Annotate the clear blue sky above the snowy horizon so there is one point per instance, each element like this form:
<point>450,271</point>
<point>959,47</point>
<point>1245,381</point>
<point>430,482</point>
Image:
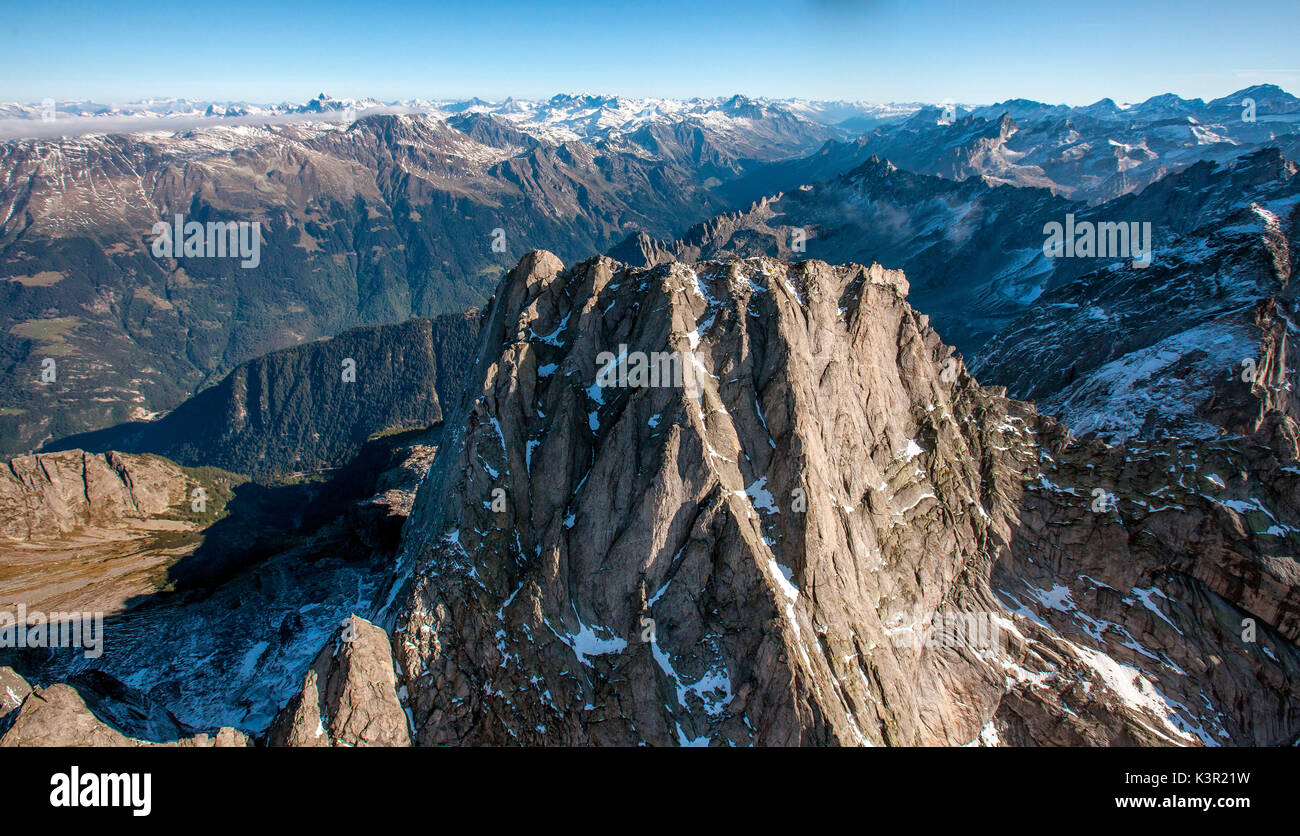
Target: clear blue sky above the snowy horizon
<point>976,53</point>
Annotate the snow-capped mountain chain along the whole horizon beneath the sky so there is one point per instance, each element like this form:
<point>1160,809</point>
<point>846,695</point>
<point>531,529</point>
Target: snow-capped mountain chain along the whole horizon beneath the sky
<point>1093,153</point>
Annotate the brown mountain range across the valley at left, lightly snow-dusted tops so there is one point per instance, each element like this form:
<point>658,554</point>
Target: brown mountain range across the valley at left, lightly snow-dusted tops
<point>371,222</point>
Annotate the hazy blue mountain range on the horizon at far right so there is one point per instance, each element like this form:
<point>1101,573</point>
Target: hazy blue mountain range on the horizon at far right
<point>1090,154</point>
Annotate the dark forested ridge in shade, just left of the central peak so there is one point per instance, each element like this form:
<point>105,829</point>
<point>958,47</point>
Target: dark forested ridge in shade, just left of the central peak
<point>314,406</point>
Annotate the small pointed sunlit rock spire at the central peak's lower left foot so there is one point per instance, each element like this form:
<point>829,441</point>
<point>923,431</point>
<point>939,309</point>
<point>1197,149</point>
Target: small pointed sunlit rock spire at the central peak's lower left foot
<point>349,696</point>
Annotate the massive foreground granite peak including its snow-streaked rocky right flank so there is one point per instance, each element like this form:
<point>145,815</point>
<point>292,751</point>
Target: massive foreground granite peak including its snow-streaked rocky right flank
<point>830,535</point>
